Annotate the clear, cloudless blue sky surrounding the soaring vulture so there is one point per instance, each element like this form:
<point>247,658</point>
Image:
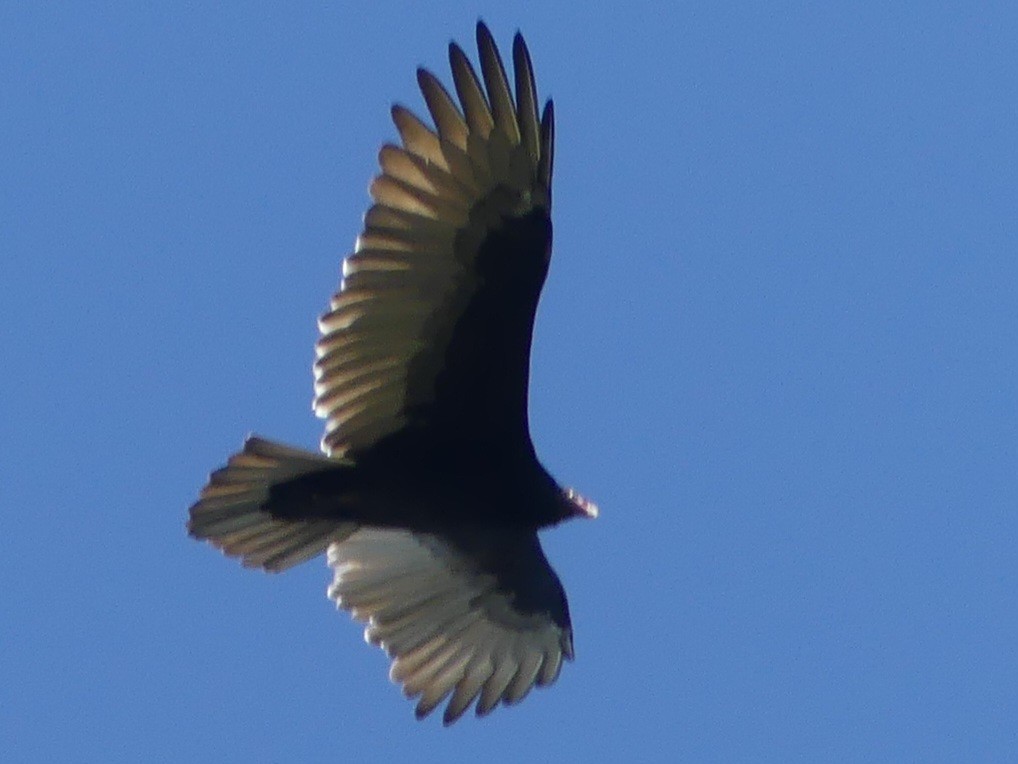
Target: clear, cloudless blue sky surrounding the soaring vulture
<point>778,347</point>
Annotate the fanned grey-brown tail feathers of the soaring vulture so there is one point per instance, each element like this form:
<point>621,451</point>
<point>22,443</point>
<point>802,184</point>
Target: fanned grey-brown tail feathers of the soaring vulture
<point>231,512</point>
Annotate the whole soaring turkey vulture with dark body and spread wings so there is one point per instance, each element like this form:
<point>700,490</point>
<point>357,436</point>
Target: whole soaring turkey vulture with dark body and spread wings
<point>430,496</point>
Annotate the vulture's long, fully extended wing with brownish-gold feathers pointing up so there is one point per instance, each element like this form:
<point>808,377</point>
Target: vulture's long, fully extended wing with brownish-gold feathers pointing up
<point>433,322</point>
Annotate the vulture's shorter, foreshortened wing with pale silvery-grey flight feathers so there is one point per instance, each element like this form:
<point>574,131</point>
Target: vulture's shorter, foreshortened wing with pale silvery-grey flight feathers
<point>479,615</point>
